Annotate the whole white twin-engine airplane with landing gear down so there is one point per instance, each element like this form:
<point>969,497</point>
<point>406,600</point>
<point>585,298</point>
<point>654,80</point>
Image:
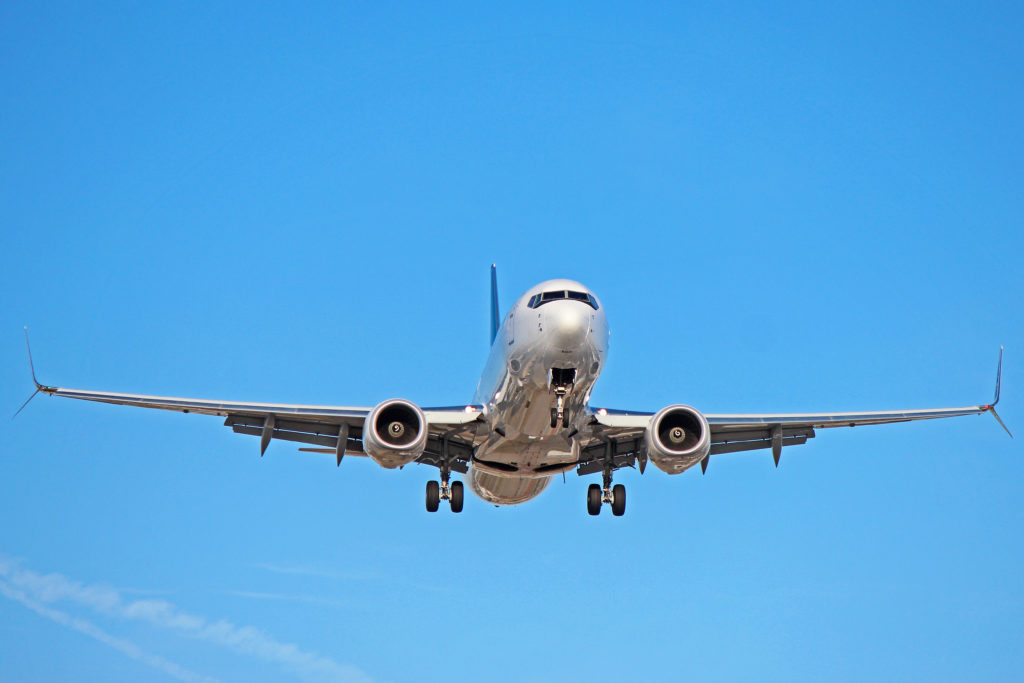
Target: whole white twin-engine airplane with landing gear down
<point>531,419</point>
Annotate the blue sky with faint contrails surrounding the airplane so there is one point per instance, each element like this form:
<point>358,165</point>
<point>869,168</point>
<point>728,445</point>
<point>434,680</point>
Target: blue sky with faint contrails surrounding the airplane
<point>815,207</point>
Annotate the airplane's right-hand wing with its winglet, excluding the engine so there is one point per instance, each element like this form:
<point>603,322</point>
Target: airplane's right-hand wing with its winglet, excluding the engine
<point>619,435</point>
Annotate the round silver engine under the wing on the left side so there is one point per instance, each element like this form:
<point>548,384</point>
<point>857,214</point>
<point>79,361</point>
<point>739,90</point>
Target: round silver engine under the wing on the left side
<point>395,434</point>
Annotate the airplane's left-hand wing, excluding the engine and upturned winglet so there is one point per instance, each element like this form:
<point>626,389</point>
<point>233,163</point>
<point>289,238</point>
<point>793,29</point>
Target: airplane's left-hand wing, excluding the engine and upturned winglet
<point>336,430</point>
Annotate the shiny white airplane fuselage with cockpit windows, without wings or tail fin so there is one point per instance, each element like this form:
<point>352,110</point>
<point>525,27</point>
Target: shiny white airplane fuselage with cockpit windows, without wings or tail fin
<point>544,362</point>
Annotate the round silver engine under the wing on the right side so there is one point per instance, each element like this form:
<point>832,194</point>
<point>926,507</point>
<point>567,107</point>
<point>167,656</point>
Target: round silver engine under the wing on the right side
<point>677,439</point>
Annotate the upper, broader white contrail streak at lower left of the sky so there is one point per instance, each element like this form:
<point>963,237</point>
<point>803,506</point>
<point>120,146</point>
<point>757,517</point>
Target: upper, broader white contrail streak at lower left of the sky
<point>37,588</point>
